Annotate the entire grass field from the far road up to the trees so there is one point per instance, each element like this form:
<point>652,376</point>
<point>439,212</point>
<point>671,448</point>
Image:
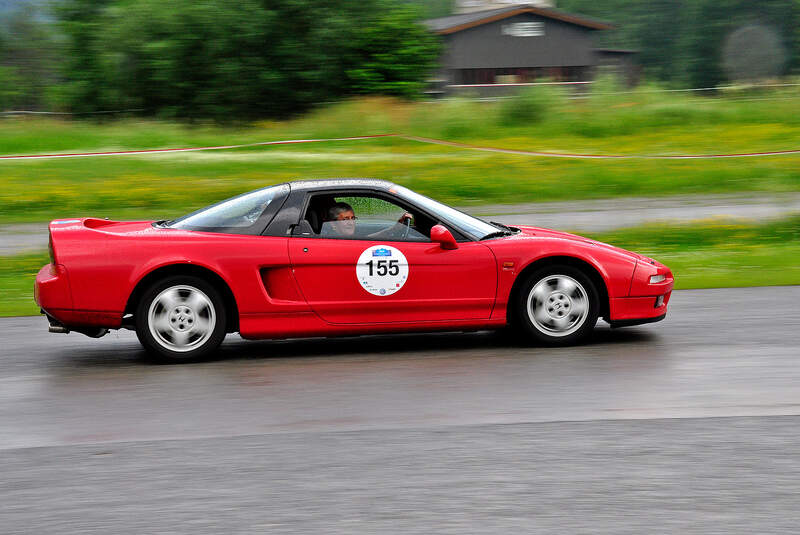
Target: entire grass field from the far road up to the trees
<point>643,122</point>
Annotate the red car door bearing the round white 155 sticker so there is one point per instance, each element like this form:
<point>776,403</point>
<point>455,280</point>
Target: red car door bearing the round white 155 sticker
<point>364,278</point>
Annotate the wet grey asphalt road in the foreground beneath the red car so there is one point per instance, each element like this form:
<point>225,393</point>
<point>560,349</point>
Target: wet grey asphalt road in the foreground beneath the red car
<point>691,425</point>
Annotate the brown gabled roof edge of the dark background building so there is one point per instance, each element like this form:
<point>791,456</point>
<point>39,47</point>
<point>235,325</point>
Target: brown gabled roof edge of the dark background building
<point>464,21</point>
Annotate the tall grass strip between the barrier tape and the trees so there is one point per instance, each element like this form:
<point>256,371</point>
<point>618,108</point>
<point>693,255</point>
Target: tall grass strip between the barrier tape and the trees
<point>539,114</point>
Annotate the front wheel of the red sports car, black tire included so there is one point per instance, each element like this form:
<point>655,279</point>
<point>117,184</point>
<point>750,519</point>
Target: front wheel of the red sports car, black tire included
<point>556,305</point>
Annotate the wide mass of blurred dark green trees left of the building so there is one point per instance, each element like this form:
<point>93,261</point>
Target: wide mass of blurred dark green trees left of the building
<point>238,59</point>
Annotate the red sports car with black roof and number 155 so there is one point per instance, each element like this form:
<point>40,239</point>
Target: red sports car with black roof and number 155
<point>335,257</point>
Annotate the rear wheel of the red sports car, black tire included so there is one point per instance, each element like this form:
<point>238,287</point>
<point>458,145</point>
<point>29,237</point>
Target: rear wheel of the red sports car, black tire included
<point>181,319</point>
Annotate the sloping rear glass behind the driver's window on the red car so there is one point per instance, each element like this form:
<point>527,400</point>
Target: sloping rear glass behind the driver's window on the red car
<point>242,211</point>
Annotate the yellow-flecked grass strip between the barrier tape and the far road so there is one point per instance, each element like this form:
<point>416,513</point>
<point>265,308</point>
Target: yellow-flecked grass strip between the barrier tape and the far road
<point>168,185</point>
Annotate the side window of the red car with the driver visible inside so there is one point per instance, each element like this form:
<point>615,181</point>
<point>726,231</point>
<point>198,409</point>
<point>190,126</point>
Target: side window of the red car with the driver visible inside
<point>364,217</point>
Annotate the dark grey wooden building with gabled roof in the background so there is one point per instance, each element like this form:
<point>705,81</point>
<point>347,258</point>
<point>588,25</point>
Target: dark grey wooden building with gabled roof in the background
<point>494,51</point>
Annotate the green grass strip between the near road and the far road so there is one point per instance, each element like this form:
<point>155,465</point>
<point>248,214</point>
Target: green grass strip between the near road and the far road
<point>702,255</point>
